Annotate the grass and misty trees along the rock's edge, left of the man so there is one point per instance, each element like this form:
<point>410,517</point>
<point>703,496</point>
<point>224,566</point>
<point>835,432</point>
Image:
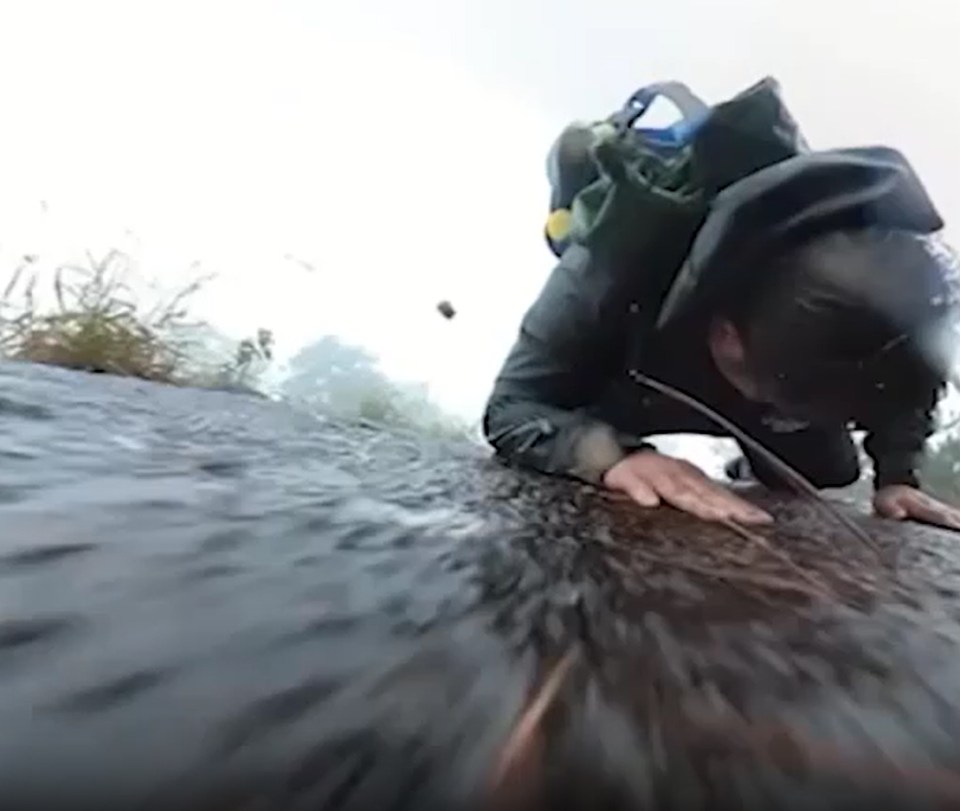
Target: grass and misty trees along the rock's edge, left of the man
<point>89,317</point>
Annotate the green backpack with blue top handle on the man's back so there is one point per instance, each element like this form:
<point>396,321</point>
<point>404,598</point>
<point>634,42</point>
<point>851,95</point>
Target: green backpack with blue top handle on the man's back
<point>637,196</point>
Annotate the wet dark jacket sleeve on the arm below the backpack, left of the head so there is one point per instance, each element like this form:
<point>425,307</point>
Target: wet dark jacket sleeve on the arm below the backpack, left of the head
<point>570,340</point>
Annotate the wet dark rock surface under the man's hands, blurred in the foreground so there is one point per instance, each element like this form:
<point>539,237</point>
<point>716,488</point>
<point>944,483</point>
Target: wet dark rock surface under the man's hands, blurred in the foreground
<point>210,601</point>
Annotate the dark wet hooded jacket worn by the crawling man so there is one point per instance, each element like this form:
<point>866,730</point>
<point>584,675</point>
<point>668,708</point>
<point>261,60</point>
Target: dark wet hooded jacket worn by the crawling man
<point>564,401</point>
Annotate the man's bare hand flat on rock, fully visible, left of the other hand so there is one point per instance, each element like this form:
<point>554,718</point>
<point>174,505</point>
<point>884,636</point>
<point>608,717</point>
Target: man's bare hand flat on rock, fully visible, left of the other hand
<point>650,478</point>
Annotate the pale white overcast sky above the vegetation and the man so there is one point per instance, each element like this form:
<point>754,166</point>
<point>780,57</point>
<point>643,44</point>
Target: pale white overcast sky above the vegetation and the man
<point>398,147</point>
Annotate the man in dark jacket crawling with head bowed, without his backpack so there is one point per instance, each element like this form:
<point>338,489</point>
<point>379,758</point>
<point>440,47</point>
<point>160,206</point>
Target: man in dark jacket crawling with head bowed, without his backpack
<point>815,299</point>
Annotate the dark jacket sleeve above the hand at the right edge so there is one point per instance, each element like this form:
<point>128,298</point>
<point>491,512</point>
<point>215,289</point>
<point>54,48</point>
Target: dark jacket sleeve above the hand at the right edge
<point>897,447</point>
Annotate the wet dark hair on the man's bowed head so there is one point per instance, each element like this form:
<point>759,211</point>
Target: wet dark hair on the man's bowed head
<point>854,325</point>
